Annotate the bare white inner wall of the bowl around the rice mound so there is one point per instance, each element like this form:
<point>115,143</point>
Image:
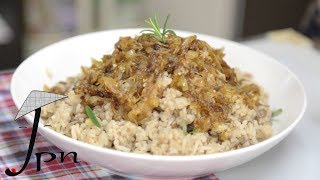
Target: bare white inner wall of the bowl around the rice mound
<point>60,60</point>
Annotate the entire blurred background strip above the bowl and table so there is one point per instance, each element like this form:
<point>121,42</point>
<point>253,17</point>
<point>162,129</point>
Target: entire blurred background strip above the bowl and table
<point>29,25</point>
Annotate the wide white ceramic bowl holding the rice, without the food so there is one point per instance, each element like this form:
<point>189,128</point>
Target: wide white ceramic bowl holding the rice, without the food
<point>64,59</point>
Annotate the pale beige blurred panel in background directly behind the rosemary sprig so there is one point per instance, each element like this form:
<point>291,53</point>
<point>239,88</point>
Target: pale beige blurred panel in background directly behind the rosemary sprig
<point>221,18</point>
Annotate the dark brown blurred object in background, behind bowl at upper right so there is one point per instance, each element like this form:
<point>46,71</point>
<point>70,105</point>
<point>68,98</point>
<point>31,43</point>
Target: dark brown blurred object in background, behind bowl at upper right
<point>266,15</point>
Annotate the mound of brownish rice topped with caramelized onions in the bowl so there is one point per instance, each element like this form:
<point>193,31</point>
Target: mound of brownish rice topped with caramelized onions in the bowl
<point>173,98</point>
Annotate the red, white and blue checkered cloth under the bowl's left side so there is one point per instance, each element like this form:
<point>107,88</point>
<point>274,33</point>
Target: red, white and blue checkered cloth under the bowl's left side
<point>14,142</point>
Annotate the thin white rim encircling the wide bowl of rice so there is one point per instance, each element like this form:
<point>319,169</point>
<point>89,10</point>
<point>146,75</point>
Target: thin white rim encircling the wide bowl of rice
<point>169,158</point>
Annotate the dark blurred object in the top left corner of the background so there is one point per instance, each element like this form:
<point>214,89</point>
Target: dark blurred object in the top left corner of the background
<point>11,52</point>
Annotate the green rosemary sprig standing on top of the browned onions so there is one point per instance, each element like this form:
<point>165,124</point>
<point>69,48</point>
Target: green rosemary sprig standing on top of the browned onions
<point>155,31</point>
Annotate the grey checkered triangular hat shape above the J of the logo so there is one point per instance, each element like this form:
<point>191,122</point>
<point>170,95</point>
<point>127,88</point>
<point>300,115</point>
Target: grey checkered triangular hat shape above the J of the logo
<point>37,99</point>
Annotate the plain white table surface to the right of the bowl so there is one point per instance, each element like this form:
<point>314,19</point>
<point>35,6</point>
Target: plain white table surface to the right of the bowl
<point>298,155</point>
